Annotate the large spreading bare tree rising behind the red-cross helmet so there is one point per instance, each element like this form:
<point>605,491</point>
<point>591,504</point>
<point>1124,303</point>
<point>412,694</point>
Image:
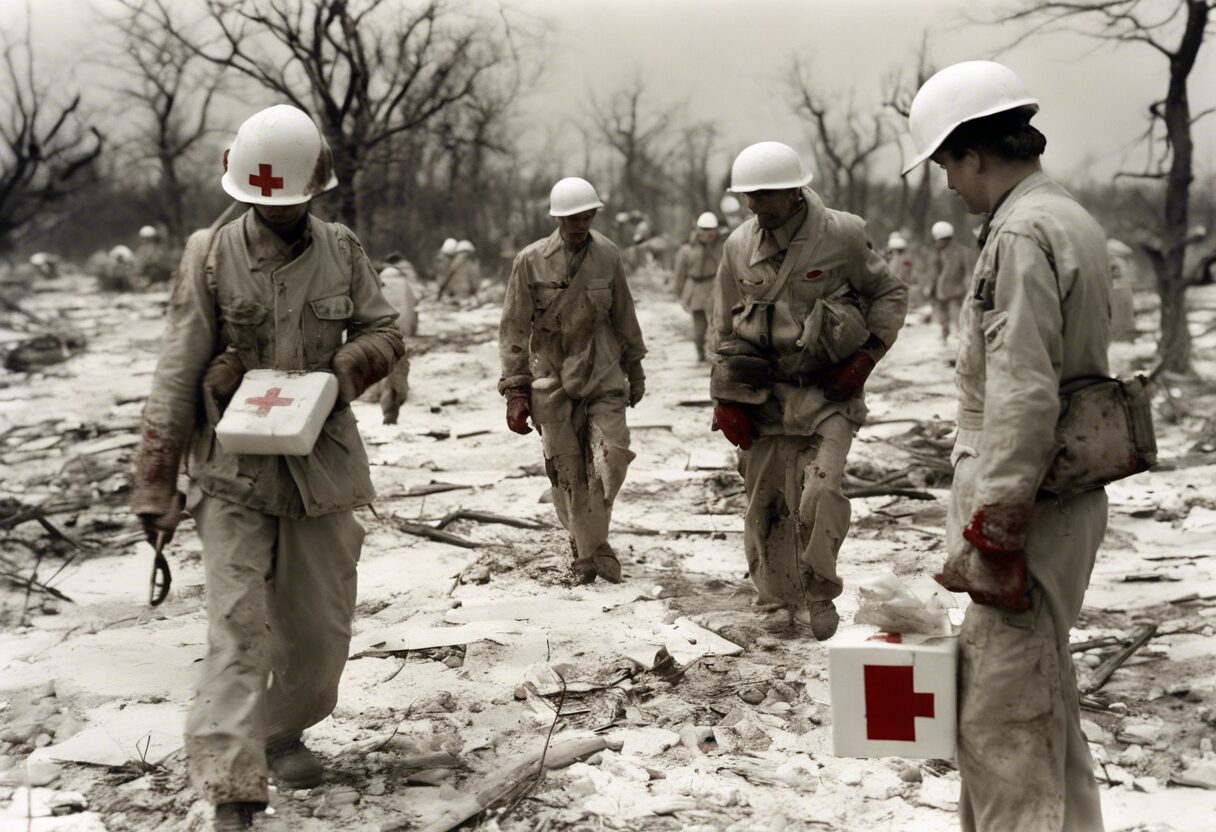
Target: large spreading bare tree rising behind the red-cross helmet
<point>367,70</point>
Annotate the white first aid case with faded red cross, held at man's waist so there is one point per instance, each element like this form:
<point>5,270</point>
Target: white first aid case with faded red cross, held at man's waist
<point>278,413</point>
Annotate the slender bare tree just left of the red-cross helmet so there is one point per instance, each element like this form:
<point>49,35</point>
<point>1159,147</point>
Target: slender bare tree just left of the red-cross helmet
<point>172,91</point>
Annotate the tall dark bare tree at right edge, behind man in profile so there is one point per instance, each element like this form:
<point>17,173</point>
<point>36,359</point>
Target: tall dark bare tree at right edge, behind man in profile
<point>1175,32</point>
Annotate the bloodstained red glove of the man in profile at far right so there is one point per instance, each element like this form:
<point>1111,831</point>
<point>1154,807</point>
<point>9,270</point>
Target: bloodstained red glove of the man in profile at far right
<point>993,570</point>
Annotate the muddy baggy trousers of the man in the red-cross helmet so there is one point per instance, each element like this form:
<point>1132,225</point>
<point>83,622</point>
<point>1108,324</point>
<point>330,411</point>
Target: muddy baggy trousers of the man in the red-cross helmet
<point>280,601</point>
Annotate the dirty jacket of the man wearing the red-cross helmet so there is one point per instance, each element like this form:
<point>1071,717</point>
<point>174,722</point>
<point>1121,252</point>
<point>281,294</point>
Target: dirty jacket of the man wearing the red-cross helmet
<point>239,291</point>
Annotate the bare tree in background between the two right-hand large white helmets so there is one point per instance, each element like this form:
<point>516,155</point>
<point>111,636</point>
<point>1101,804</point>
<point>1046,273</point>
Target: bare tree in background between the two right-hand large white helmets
<point>845,143</point>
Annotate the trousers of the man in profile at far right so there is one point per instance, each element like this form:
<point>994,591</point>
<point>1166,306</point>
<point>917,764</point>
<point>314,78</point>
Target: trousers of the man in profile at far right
<point>1024,762</point>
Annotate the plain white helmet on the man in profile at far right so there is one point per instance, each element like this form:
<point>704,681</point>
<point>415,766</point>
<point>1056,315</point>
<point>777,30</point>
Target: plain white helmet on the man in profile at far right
<point>961,93</point>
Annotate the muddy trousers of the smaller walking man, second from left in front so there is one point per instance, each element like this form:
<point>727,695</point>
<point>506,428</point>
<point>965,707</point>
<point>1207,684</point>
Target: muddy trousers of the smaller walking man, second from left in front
<point>587,458</point>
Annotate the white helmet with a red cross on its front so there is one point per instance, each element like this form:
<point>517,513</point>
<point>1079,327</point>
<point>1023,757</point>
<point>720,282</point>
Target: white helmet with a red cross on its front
<point>278,159</point>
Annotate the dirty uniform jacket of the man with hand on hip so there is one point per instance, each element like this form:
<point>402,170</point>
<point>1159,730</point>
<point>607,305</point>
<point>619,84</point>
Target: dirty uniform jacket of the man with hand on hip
<point>829,257</point>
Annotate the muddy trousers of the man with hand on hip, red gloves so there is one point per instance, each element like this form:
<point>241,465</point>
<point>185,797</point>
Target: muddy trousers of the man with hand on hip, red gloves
<point>797,515</point>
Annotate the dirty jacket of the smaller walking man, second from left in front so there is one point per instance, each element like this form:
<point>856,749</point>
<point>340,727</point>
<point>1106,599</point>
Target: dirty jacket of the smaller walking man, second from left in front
<point>595,335</point>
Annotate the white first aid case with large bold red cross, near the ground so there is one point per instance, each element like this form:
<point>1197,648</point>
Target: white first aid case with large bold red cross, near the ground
<point>893,695</point>
